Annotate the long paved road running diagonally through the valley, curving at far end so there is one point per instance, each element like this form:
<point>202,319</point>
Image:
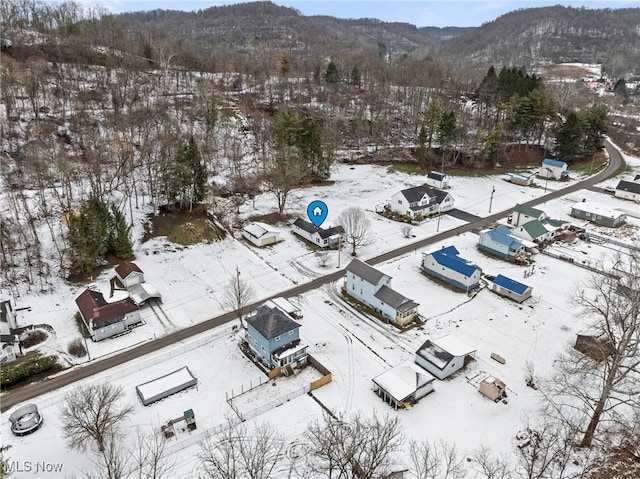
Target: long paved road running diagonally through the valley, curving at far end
<point>77,373</point>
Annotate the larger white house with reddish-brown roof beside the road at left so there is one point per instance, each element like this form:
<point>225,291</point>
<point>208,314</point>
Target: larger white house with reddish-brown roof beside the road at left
<point>103,319</point>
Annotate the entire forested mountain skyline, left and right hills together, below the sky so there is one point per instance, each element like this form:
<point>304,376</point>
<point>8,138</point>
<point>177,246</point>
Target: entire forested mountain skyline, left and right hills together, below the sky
<point>523,37</point>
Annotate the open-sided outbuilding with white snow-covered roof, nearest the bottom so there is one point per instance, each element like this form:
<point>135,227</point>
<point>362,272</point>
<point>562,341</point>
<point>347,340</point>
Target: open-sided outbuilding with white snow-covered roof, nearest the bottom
<point>403,384</point>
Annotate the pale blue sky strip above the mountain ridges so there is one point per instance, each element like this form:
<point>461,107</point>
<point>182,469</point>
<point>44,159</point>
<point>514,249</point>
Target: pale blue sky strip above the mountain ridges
<point>440,13</point>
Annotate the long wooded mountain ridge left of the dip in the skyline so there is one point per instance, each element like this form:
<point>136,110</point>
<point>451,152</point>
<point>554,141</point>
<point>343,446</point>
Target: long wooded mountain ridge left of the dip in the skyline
<point>245,26</point>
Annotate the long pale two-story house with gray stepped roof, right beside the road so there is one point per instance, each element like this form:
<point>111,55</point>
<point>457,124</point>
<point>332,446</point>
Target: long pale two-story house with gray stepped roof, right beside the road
<point>373,288</point>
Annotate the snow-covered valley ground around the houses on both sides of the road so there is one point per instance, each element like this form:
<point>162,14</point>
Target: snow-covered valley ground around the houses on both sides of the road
<point>353,347</point>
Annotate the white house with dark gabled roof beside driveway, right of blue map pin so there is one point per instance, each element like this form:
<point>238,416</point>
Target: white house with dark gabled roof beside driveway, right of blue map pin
<point>421,200</point>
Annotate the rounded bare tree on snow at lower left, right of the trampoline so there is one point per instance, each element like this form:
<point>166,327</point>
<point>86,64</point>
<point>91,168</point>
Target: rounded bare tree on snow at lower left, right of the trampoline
<point>92,413</point>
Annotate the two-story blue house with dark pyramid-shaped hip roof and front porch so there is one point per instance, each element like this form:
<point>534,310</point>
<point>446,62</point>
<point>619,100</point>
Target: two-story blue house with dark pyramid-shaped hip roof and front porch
<point>275,338</point>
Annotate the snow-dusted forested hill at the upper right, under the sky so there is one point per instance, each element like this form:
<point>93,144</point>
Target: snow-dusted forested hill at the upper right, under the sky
<point>554,34</point>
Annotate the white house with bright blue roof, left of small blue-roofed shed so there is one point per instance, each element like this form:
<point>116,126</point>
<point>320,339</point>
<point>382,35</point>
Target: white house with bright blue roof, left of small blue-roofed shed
<point>447,265</point>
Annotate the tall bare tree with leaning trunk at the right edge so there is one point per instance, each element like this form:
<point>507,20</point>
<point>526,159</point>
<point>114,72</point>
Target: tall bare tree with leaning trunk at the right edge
<point>590,390</point>
